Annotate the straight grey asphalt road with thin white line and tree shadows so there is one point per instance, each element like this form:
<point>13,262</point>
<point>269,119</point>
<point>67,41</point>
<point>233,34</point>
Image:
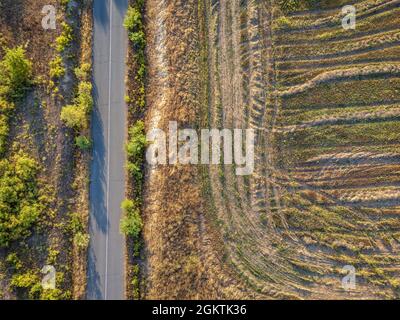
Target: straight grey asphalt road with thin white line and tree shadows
<point>106,274</point>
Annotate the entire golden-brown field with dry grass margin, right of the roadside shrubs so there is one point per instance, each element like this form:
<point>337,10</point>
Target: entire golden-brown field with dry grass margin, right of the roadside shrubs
<point>325,192</point>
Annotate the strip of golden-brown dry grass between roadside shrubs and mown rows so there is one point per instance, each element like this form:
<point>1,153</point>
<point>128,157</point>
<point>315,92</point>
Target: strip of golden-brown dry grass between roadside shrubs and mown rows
<point>182,261</point>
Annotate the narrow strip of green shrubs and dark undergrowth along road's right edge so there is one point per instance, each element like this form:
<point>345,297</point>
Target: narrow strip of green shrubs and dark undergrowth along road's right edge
<point>132,224</point>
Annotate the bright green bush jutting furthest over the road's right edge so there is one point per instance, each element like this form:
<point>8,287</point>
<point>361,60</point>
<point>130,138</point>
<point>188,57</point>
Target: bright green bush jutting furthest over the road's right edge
<point>131,224</point>
